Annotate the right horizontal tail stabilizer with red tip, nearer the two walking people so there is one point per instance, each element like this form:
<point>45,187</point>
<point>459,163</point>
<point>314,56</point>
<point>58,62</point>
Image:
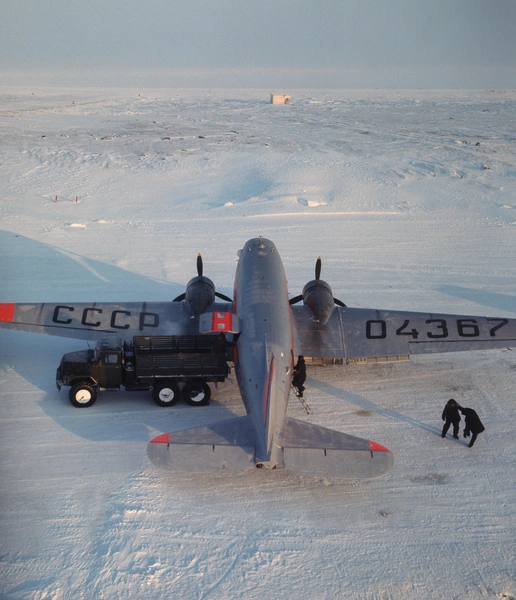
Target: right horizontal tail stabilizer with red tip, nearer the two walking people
<point>313,451</point>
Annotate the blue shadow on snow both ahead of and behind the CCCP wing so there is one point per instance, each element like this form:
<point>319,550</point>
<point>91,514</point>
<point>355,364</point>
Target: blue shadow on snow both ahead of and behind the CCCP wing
<point>29,269</point>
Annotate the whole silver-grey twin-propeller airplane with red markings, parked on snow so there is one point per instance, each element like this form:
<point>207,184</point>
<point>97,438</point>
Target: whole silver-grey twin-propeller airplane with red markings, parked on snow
<point>269,330</point>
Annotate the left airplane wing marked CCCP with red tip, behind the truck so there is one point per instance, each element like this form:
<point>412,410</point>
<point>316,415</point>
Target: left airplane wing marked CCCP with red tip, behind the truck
<point>91,321</point>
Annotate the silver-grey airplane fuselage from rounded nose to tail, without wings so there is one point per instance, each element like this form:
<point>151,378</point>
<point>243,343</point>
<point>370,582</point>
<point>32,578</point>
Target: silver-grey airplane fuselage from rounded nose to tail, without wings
<point>264,350</point>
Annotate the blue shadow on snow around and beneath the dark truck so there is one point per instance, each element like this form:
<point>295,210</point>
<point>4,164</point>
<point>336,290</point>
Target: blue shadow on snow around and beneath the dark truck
<point>120,416</point>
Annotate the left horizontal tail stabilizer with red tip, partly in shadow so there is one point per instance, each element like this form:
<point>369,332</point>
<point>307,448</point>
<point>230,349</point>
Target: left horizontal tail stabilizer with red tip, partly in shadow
<point>222,447</point>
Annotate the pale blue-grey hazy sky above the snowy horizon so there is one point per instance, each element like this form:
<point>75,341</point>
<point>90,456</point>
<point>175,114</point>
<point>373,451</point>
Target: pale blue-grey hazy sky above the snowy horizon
<point>318,38</point>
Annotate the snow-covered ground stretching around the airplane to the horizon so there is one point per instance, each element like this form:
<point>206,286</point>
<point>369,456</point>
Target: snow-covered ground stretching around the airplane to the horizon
<point>410,199</point>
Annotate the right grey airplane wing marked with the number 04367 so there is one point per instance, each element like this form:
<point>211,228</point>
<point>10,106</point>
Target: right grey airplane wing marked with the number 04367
<point>356,335</point>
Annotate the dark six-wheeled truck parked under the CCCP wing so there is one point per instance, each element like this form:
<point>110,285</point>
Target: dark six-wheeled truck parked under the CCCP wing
<point>170,366</point>
